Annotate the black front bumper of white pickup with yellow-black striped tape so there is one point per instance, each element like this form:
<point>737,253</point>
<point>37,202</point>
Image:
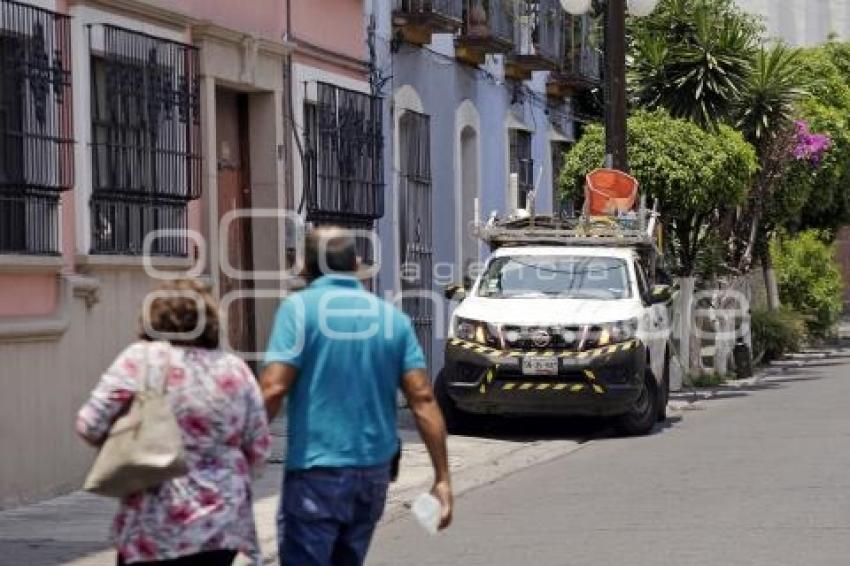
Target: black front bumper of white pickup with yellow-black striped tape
<point>601,382</point>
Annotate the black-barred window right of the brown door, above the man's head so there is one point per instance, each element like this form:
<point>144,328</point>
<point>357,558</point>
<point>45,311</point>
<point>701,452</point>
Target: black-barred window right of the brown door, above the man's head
<point>343,157</point>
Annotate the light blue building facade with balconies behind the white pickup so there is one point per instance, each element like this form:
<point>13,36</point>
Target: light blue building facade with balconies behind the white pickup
<point>474,123</point>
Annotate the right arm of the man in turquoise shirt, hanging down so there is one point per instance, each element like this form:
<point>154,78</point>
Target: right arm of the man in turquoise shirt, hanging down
<point>429,420</point>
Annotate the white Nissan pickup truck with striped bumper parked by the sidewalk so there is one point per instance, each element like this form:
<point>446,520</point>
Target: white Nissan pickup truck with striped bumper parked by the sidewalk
<point>559,330</point>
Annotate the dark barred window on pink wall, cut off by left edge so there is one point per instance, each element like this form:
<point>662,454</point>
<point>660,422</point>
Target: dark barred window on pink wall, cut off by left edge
<point>36,144</point>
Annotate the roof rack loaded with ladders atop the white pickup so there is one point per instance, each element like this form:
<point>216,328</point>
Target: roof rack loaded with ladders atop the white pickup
<point>635,229</point>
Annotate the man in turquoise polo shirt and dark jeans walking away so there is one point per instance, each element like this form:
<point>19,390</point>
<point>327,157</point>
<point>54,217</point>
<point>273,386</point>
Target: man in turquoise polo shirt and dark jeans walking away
<point>341,354</point>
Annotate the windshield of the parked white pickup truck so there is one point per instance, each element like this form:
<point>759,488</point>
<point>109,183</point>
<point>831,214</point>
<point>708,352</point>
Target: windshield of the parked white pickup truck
<point>564,277</point>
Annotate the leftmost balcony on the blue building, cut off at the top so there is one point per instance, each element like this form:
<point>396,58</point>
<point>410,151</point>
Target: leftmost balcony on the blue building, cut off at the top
<point>417,20</point>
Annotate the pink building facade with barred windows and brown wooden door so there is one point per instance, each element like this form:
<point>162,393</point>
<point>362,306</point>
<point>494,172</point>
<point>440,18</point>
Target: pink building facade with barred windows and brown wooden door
<point>135,135</point>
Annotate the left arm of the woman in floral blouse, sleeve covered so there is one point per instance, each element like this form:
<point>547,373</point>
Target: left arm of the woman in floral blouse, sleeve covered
<point>112,395</point>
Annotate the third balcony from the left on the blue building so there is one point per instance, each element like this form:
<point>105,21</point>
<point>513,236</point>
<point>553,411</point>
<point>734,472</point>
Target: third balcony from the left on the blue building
<point>539,34</point>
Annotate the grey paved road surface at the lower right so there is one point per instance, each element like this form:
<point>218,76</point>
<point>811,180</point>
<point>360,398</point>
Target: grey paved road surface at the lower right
<point>760,478</point>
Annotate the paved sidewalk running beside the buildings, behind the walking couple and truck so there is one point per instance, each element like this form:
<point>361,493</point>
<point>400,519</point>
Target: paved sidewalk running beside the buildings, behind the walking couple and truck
<point>72,529</point>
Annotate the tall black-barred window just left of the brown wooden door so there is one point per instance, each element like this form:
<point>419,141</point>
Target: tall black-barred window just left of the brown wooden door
<point>146,164</point>
